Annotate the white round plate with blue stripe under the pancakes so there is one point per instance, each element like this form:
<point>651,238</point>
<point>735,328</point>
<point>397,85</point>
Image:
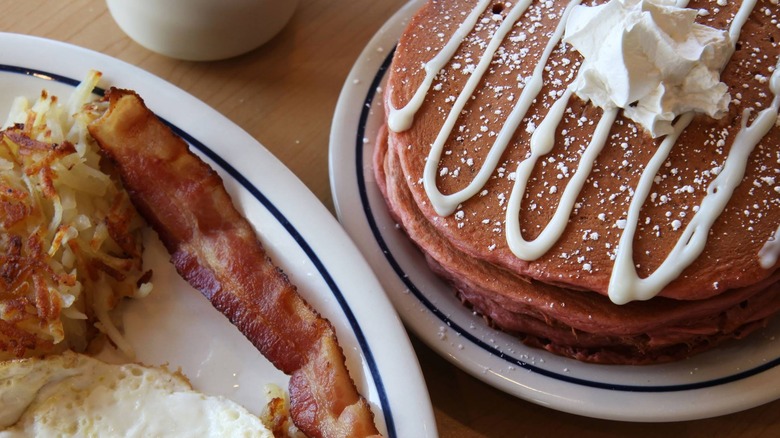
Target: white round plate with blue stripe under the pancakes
<point>734,377</point>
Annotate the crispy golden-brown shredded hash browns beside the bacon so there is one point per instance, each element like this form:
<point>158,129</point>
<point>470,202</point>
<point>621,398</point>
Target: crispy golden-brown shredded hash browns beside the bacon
<point>70,243</point>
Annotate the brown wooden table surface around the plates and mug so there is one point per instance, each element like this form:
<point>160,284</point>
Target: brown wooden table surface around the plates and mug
<point>284,94</point>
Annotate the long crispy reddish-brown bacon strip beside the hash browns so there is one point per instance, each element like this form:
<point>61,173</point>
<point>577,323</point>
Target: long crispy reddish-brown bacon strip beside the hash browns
<point>216,250</point>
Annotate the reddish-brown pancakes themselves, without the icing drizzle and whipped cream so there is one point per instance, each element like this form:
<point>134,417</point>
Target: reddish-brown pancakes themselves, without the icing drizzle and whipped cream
<point>559,300</point>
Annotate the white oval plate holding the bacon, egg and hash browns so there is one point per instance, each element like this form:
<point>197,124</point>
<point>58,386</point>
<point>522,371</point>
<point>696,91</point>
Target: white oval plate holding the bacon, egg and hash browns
<point>176,325</point>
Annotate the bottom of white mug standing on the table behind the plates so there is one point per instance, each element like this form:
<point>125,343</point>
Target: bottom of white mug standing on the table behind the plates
<point>201,30</point>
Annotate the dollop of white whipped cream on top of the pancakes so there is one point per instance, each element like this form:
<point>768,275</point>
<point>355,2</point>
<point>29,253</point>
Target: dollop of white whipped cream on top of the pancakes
<point>650,58</point>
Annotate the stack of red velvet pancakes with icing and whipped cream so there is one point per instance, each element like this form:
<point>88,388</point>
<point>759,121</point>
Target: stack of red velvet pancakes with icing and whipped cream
<point>603,181</point>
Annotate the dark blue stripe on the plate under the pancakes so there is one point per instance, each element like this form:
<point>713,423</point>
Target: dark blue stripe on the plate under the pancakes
<point>405,278</point>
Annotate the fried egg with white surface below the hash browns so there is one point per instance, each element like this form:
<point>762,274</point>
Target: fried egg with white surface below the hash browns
<point>76,395</point>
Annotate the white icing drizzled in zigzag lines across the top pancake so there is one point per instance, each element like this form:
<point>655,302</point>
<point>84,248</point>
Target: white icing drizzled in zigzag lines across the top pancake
<point>625,284</point>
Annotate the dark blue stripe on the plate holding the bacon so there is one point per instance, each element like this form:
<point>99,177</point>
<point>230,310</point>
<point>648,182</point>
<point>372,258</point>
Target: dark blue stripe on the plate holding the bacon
<point>279,216</point>
